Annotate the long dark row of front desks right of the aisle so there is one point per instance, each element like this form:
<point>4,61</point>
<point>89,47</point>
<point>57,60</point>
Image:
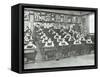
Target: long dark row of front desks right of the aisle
<point>58,52</point>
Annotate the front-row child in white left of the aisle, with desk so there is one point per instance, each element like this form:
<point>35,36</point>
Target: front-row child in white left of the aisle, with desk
<point>30,52</point>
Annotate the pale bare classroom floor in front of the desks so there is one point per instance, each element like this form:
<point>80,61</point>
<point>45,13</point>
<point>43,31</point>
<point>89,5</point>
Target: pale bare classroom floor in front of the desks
<point>66,62</point>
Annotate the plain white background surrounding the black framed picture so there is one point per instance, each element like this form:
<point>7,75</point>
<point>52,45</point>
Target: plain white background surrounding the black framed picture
<point>5,39</point>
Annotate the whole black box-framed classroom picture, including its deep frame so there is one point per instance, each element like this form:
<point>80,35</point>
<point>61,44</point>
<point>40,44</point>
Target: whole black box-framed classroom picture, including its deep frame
<point>53,38</point>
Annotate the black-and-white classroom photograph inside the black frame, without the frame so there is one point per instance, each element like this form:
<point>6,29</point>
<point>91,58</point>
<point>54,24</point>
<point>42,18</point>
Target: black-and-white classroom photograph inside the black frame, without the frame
<point>58,38</point>
